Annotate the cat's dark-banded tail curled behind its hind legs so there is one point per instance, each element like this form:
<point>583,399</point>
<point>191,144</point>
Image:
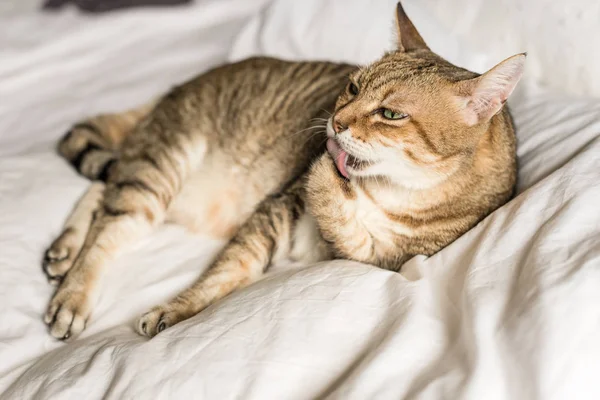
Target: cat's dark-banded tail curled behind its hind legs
<point>91,145</point>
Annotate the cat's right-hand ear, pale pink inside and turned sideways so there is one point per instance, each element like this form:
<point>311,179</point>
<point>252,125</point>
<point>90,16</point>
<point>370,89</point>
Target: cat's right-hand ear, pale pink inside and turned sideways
<point>484,96</point>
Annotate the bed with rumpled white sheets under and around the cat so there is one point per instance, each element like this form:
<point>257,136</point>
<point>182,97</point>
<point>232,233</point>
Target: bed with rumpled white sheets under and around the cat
<point>511,310</point>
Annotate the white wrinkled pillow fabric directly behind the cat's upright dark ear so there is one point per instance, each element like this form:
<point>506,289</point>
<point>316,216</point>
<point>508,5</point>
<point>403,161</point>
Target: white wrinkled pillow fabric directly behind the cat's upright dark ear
<point>354,31</point>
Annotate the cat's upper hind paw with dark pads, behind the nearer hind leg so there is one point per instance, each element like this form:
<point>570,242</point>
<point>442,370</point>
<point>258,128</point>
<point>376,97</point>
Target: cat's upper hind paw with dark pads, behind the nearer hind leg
<point>60,256</point>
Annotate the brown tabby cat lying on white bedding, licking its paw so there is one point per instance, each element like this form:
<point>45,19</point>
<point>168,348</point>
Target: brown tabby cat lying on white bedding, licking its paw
<point>412,152</point>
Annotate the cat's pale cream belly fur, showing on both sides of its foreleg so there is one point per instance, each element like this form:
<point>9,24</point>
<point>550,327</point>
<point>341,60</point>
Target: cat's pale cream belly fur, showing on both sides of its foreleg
<point>221,195</point>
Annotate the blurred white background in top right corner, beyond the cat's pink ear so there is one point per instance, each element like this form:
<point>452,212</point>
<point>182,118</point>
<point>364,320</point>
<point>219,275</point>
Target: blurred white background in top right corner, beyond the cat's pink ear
<point>561,37</point>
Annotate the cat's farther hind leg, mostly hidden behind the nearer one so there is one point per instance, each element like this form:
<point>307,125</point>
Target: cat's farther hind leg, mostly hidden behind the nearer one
<point>62,252</point>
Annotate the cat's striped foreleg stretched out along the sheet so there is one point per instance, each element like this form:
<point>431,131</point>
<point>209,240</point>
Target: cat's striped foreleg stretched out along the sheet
<point>265,237</point>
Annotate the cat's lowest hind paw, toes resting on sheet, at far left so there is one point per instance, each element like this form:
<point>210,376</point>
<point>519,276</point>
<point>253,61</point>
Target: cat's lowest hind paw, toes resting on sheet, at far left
<point>68,311</point>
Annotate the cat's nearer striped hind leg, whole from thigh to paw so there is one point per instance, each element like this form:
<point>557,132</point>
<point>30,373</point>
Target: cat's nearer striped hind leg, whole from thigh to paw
<point>136,197</point>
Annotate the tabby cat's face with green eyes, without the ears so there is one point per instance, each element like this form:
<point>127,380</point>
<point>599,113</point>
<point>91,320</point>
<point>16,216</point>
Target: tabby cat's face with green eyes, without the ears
<point>397,119</point>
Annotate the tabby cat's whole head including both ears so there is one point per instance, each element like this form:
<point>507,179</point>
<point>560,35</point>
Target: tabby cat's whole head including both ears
<point>414,118</point>
